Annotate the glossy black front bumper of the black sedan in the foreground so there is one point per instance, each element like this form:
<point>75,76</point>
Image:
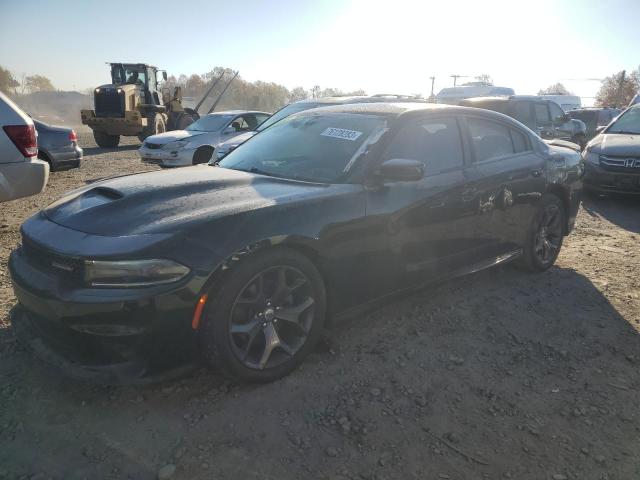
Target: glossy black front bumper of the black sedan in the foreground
<point>110,336</point>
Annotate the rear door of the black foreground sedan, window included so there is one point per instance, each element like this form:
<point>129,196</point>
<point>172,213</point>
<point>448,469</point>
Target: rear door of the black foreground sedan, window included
<point>512,183</point>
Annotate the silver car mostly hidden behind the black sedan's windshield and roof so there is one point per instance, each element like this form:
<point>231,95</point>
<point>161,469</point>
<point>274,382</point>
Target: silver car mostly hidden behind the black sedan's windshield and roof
<point>301,105</point>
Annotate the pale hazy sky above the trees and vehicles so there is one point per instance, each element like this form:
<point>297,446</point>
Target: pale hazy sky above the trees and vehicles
<point>380,46</point>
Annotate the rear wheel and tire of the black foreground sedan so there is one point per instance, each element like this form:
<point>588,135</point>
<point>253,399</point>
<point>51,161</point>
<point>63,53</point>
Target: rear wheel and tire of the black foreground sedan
<point>544,236</point>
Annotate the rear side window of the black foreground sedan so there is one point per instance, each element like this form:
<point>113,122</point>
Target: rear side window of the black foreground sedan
<point>493,140</point>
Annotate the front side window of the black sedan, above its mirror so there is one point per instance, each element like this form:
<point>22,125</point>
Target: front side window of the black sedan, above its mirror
<point>435,142</point>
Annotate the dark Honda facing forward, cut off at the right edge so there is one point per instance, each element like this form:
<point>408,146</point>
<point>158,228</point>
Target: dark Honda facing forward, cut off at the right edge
<point>612,159</point>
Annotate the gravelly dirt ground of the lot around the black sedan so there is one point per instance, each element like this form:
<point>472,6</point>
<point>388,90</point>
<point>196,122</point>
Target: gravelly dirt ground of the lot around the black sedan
<point>499,375</point>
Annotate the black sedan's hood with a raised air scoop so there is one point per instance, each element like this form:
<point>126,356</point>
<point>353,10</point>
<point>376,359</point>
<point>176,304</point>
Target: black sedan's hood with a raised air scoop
<point>171,201</point>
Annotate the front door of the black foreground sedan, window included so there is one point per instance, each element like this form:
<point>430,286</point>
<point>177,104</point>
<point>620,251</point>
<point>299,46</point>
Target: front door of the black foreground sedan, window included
<point>429,223</point>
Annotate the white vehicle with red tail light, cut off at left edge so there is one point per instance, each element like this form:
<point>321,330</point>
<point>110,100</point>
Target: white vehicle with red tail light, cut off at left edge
<point>21,173</point>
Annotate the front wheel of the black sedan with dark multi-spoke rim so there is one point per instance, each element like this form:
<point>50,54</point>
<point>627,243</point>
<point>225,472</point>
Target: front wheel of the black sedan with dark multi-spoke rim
<point>248,306</point>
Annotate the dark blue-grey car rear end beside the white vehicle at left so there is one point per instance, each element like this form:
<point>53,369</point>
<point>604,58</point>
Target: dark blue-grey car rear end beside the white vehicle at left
<point>58,146</point>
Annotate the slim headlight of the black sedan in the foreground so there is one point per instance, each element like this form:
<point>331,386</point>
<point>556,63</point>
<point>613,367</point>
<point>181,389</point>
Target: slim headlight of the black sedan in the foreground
<point>132,273</point>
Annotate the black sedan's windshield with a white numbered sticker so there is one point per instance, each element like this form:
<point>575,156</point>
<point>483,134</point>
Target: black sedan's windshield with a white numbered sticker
<point>317,147</point>
